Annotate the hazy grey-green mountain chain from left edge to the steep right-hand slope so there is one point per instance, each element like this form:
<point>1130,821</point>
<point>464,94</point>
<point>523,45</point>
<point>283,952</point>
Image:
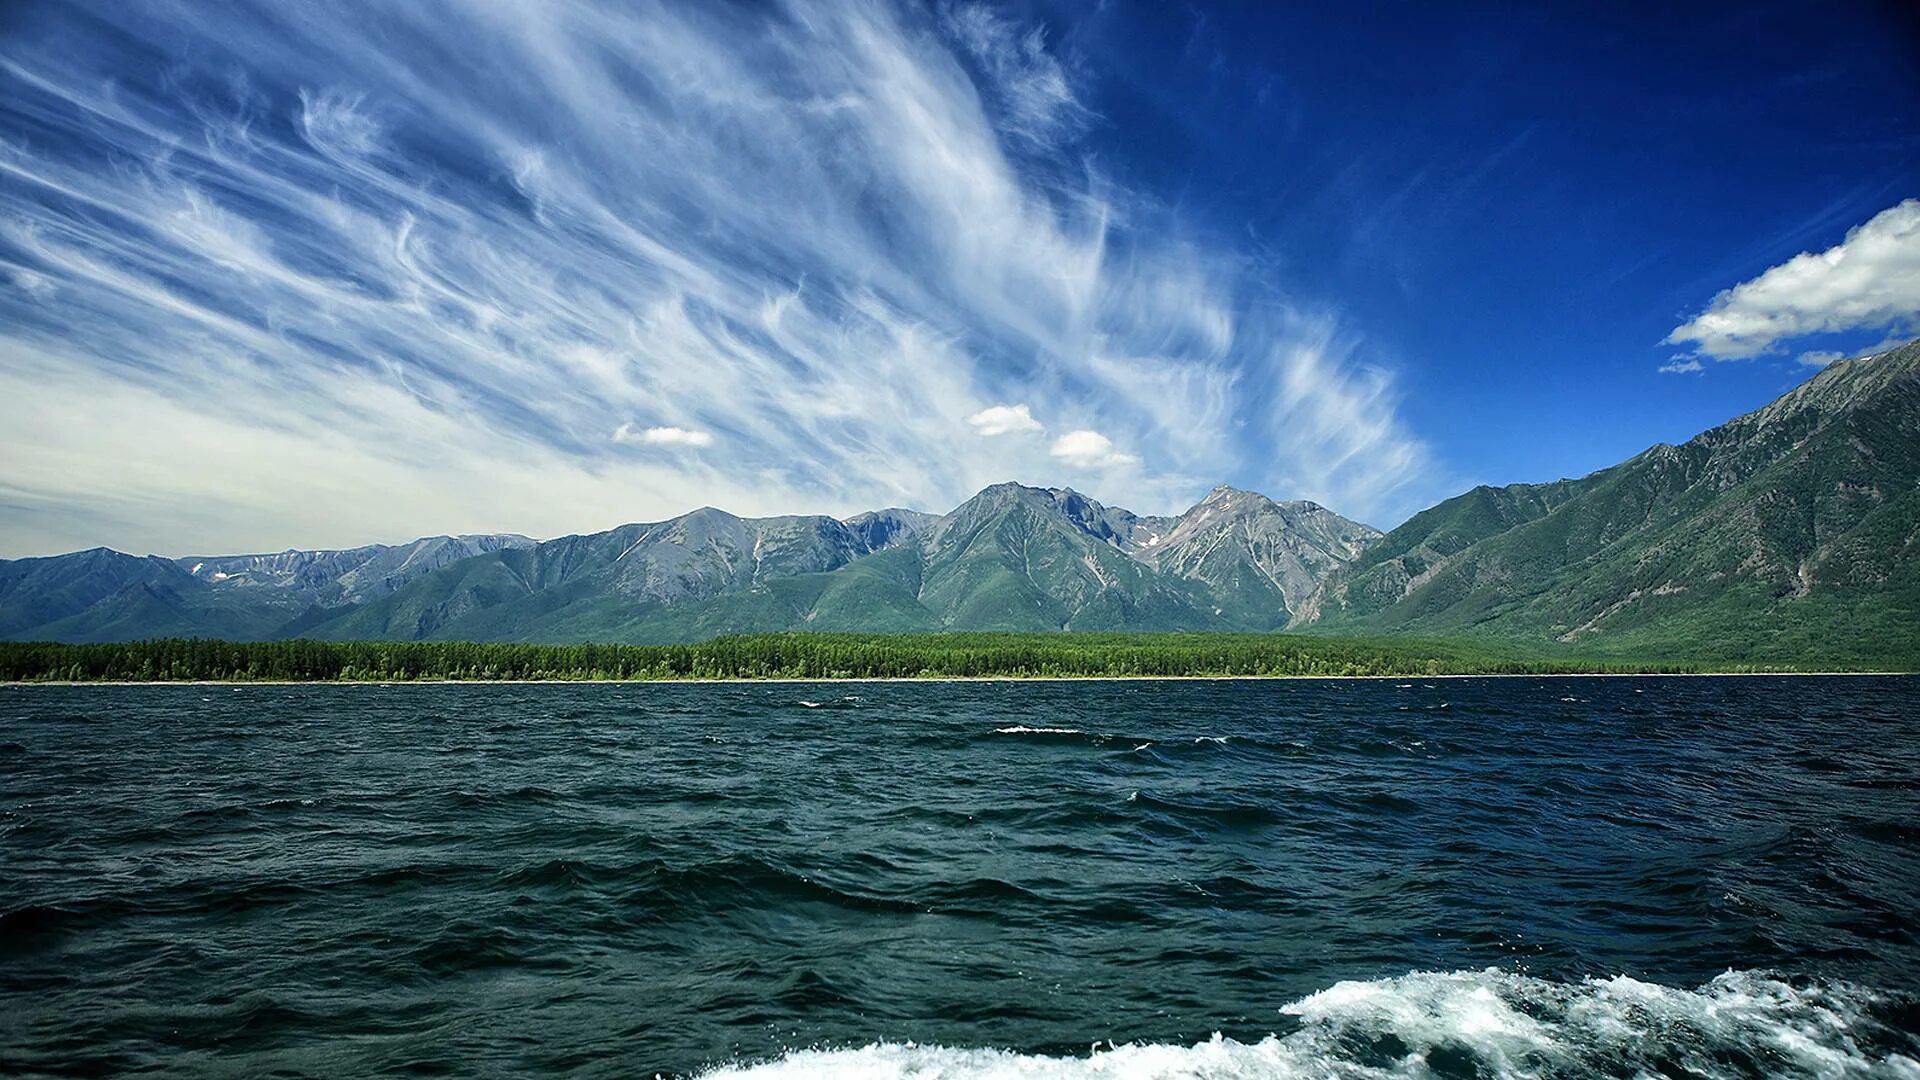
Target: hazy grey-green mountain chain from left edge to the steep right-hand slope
<point>1011,558</point>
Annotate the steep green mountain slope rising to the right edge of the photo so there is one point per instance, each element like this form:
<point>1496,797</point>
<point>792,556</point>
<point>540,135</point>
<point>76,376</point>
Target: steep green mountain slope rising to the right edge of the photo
<point>1788,533</point>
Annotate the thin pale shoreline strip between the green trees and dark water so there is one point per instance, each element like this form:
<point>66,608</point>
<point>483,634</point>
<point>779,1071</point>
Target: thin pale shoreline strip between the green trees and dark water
<point>777,681</point>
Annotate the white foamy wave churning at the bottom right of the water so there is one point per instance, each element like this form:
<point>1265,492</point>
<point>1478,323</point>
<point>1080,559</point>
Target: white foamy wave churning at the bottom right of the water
<point>1470,1023</point>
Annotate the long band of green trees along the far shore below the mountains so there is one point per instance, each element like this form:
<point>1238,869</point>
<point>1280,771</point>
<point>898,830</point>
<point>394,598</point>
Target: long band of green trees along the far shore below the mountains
<point>780,656</point>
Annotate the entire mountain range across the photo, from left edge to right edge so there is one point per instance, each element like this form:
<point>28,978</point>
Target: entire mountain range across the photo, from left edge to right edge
<point>1788,533</point>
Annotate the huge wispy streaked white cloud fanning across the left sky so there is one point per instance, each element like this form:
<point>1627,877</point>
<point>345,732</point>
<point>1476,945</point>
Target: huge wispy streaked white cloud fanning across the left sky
<point>817,241</point>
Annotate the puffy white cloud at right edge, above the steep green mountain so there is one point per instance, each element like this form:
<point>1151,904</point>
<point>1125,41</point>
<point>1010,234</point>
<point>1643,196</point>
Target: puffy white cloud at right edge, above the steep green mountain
<point>1867,282</point>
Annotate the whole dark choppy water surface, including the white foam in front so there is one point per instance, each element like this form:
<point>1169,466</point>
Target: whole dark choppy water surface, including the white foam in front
<point>1560,877</point>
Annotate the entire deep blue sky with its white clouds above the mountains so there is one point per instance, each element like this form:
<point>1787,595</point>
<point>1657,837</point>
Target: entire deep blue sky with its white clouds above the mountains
<point>320,276</point>
